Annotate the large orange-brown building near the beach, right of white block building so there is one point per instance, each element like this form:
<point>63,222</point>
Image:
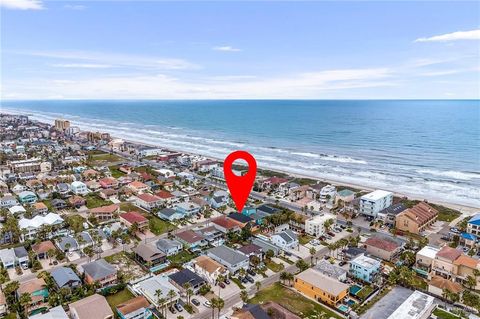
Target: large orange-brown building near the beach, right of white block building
<point>416,219</point>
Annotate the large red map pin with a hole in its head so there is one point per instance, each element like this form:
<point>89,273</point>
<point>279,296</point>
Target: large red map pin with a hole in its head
<point>240,186</point>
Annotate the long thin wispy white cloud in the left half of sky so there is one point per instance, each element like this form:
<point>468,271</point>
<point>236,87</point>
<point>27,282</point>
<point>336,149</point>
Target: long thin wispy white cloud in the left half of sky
<point>117,60</point>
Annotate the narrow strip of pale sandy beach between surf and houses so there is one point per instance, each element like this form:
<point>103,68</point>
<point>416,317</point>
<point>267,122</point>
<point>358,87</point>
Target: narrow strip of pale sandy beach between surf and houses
<point>465,209</point>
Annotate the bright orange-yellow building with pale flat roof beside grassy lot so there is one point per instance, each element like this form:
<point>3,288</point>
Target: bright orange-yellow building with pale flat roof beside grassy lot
<point>320,287</point>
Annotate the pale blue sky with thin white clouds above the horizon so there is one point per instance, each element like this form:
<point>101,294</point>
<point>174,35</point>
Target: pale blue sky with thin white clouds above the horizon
<point>239,50</point>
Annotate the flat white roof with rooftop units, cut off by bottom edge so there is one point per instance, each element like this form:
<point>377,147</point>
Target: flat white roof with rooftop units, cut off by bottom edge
<point>414,307</point>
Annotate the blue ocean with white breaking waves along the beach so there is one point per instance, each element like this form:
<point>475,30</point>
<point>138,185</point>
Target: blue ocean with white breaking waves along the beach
<point>426,148</point>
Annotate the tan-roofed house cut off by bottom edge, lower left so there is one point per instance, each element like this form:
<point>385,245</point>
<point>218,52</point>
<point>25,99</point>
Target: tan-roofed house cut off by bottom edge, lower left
<point>92,307</point>
